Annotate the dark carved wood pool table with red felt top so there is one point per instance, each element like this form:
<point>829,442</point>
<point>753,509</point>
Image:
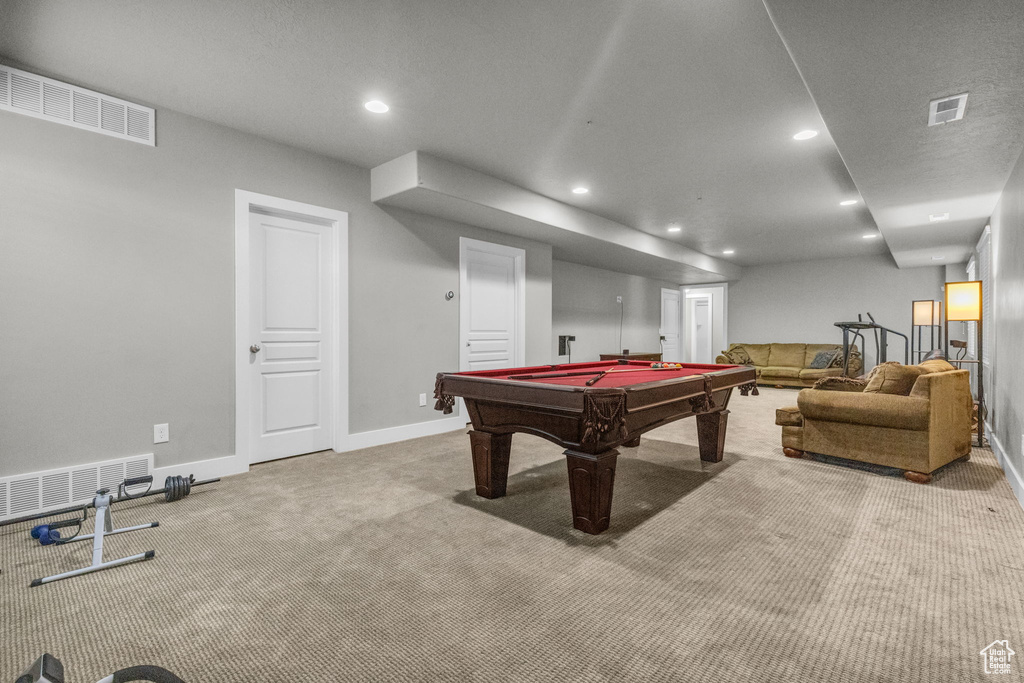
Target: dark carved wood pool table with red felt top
<point>590,409</point>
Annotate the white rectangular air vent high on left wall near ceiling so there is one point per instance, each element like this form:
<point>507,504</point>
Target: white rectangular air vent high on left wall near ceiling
<point>41,98</point>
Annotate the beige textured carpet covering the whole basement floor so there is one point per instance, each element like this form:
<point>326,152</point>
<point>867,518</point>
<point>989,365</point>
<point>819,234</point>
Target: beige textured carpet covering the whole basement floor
<point>383,566</point>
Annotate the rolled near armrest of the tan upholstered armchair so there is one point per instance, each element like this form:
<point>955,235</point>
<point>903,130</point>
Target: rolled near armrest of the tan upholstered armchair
<point>877,410</point>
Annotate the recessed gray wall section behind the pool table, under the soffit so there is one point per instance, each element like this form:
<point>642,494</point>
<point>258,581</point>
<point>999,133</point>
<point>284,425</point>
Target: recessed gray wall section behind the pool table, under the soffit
<point>584,306</point>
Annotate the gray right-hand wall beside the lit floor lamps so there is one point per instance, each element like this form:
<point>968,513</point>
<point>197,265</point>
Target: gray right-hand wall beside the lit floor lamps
<point>1007,330</point>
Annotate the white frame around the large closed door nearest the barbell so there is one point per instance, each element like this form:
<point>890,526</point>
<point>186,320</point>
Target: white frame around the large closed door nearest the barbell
<point>338,222</point>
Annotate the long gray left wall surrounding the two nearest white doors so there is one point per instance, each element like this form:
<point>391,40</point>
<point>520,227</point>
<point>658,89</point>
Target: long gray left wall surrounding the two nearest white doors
<point>117,303</point>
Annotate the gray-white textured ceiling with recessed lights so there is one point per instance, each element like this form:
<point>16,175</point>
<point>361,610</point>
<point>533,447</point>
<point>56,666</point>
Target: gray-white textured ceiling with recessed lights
<point>670,112</point>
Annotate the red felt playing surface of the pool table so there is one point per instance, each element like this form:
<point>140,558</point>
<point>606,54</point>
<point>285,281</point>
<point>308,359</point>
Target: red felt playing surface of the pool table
<point>641,373</point>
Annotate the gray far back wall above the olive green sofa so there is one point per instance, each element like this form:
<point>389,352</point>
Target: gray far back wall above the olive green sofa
<point>799,303</point>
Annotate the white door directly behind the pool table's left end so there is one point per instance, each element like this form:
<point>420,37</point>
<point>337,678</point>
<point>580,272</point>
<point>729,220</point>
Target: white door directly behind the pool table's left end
<point>492,306</point>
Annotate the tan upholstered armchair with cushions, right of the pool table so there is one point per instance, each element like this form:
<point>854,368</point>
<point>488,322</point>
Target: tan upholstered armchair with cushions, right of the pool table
<point>919,433</point>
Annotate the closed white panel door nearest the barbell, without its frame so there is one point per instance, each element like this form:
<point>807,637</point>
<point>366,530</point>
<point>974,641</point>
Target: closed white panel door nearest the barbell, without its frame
<point>290,332</point>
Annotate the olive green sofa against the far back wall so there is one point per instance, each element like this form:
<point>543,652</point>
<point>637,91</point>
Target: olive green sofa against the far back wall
<point>789,365</point>
